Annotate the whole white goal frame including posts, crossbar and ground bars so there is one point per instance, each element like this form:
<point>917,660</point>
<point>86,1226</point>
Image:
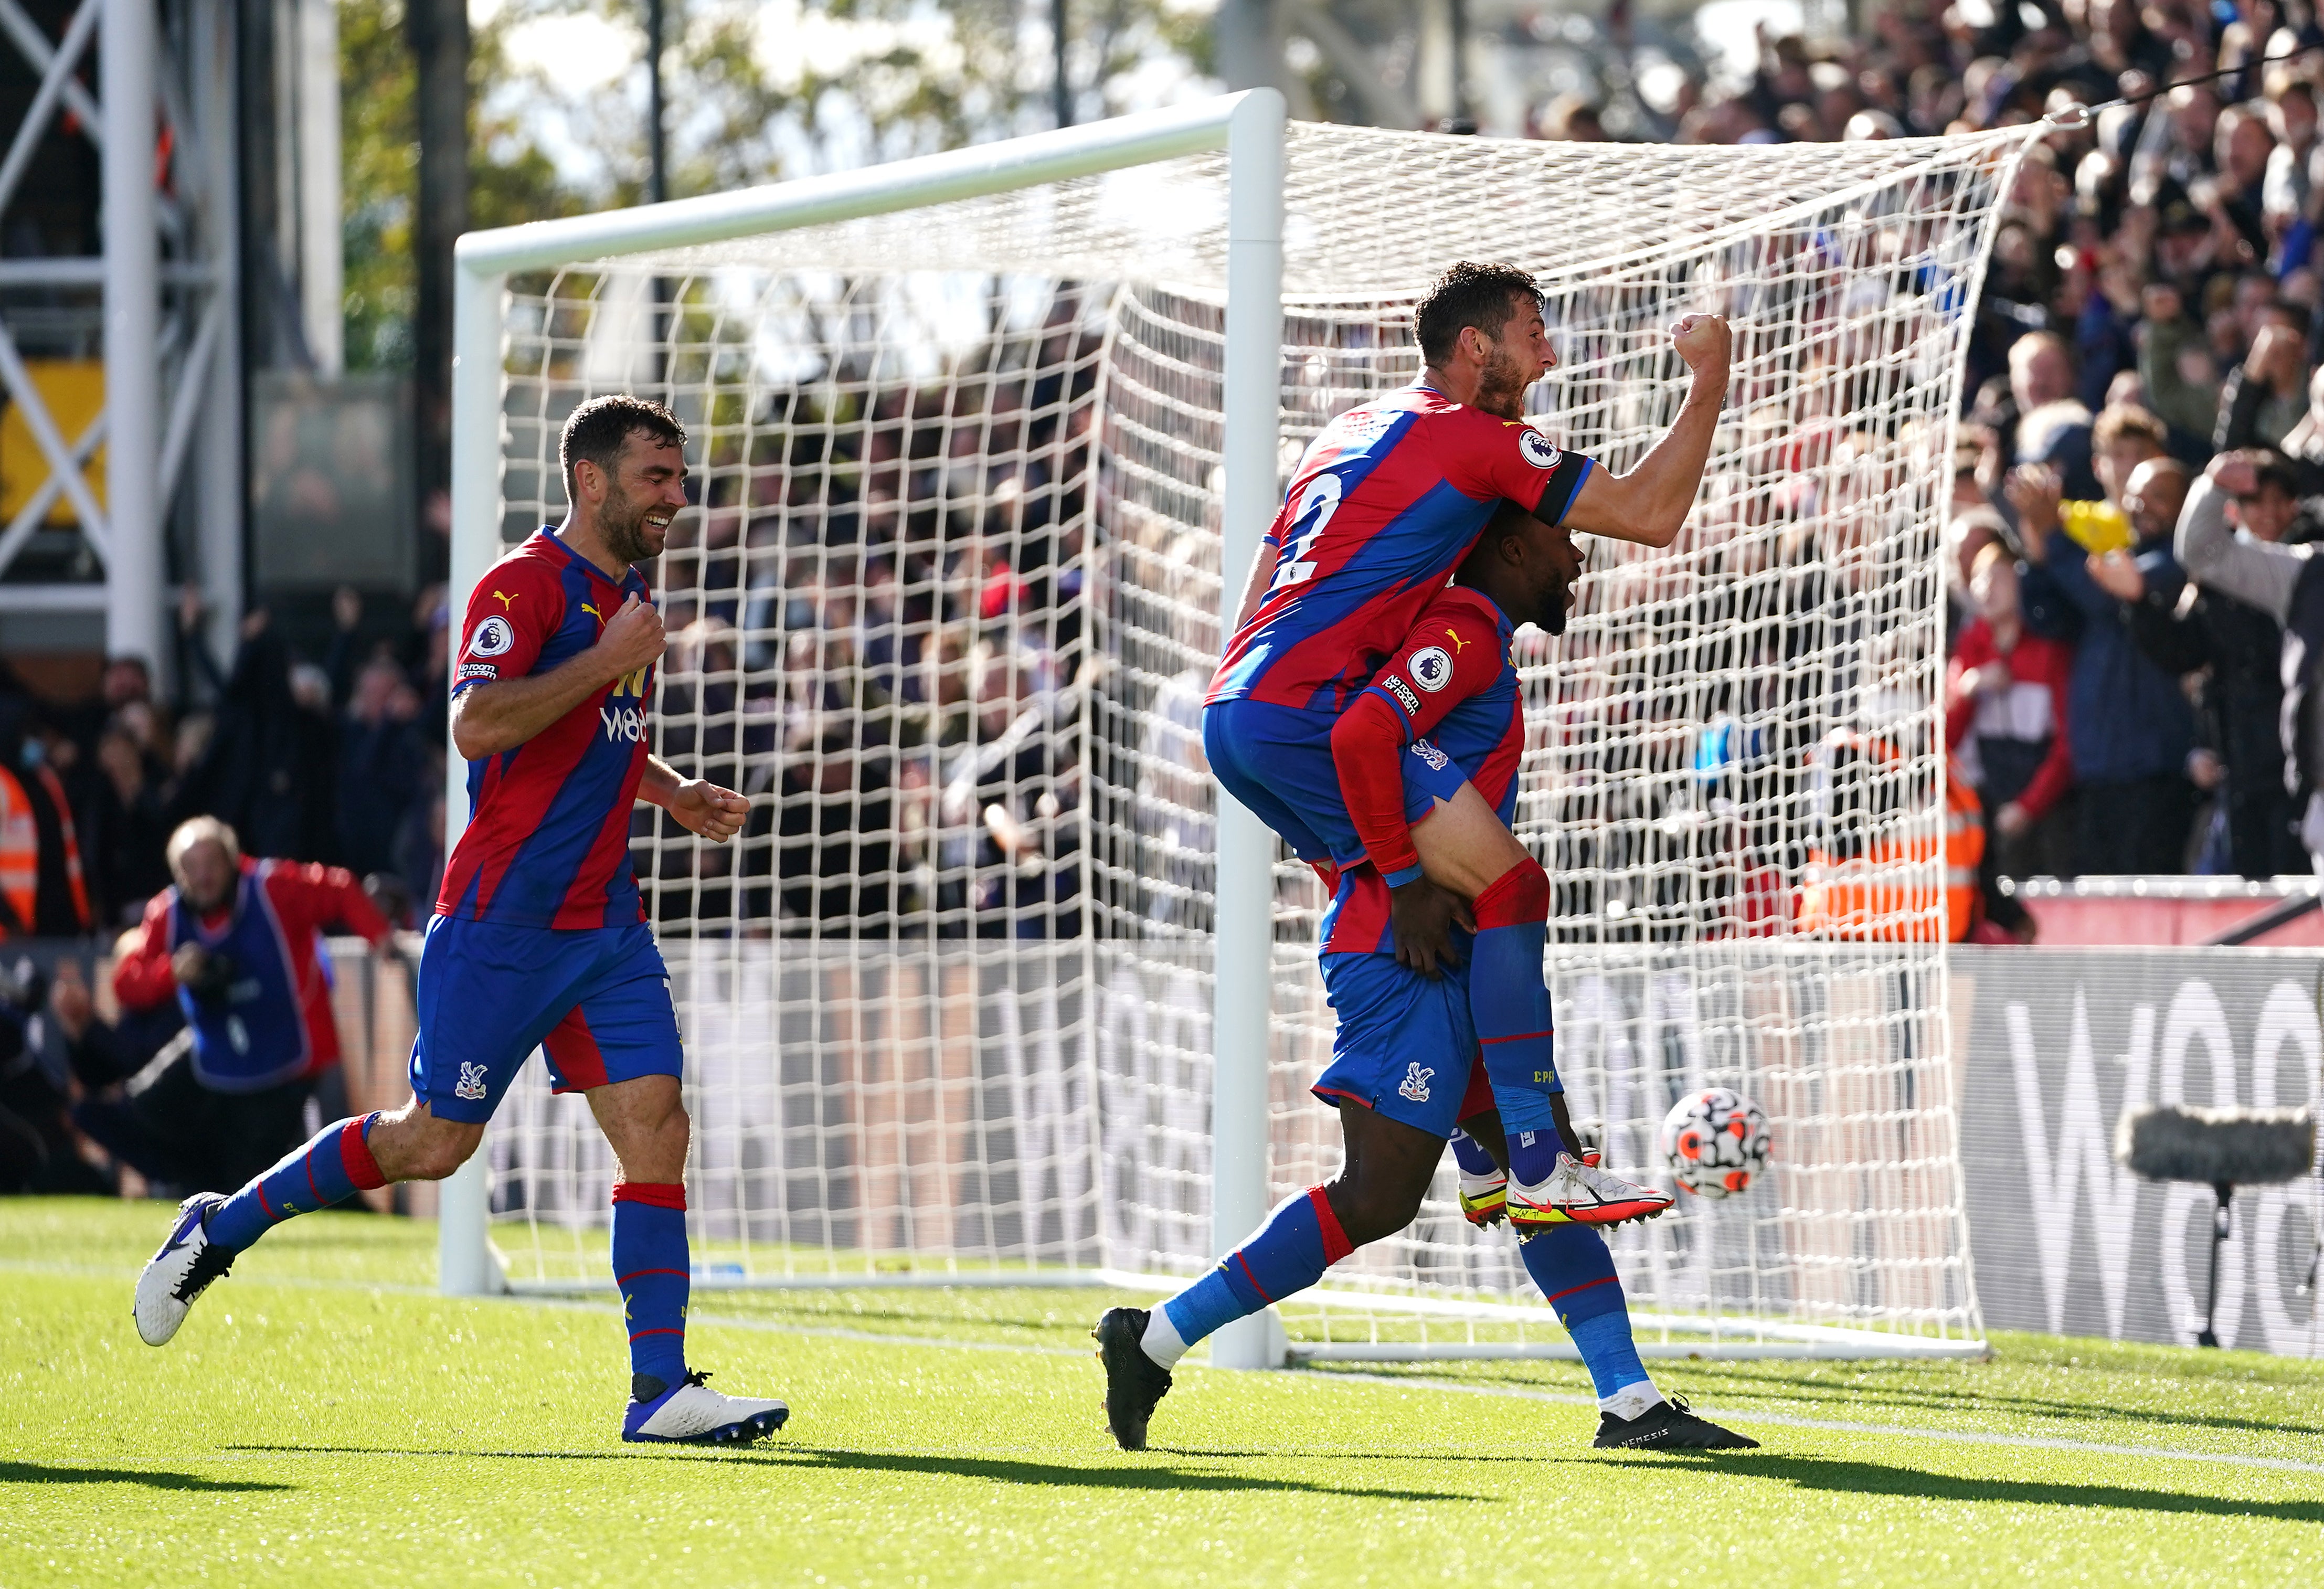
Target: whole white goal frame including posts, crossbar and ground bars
<point>1256,143</point>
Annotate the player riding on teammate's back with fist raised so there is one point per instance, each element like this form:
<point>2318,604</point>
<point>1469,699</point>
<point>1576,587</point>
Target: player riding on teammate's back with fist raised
<point>1384,508</point>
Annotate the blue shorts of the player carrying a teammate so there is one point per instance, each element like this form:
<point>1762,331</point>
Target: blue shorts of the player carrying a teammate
<point>1405,1044</point>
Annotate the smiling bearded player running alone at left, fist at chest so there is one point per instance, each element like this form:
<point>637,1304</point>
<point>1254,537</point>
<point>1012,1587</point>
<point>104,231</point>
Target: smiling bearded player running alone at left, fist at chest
<point>540,937</point>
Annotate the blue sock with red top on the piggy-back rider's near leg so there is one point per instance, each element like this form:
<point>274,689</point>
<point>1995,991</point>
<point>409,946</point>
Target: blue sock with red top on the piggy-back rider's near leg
<point>1512,1009</point>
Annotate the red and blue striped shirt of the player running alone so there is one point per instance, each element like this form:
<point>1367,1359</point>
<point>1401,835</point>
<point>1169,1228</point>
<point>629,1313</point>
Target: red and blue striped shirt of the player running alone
<point>547,840</point>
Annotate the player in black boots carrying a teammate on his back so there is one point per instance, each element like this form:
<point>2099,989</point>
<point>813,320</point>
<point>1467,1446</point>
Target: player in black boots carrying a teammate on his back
<point>1405,1049</point>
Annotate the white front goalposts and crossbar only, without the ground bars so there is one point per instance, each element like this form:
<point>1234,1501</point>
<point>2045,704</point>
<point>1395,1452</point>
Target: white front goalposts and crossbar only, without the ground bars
<point>1251,131</point>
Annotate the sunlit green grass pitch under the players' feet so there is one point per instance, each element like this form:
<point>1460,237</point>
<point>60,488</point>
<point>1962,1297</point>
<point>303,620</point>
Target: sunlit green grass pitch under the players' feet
<point>327,1418</point>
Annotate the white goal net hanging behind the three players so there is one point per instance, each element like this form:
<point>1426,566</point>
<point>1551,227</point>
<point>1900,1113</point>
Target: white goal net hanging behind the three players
<point>947,612</point>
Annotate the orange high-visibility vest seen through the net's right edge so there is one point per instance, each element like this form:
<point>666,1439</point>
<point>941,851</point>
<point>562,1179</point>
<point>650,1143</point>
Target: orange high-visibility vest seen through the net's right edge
<point>1886,896</point>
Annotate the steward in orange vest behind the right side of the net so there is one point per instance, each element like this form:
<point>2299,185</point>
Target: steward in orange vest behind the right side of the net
<point>1872,877</point>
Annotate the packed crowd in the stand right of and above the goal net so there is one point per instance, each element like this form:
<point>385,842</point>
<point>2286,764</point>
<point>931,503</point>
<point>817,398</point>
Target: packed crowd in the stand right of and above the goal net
<point>2156,299</point>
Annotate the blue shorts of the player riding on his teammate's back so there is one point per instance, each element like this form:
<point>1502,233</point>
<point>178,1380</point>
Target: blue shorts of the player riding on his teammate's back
<point>1279,763</point>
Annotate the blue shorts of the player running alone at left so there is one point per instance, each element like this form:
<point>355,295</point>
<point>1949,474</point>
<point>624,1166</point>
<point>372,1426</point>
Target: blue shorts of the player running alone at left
<point>596,1002</point>
